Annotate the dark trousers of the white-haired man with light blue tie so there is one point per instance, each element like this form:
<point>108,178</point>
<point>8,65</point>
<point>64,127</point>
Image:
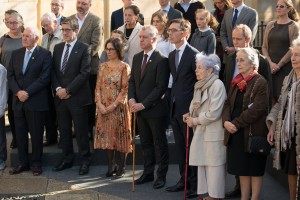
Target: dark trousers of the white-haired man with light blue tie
<point>32,122</point>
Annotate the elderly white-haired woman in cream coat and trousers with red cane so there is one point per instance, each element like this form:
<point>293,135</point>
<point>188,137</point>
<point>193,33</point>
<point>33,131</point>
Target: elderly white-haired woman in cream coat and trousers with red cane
<point>207,149</point>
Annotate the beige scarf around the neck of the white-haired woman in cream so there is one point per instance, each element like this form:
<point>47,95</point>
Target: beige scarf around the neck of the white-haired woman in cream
<point>199,87</point>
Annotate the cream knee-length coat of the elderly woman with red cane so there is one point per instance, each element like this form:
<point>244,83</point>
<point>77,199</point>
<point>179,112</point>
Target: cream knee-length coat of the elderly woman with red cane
<point>207,147</point>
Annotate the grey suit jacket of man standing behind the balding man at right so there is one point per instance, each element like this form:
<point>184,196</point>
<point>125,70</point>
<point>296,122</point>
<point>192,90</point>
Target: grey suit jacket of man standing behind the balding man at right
<point>247,16</point>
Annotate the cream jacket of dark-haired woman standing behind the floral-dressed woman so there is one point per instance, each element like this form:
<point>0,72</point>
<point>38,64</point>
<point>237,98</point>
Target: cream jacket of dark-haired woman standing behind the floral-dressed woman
<point>133,42</point>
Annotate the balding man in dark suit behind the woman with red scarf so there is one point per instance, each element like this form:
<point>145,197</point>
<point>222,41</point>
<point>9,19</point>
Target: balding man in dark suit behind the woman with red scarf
<point>241,37</point>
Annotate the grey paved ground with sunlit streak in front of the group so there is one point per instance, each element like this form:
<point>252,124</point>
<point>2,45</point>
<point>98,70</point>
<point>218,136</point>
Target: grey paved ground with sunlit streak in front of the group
<point>69,185</point>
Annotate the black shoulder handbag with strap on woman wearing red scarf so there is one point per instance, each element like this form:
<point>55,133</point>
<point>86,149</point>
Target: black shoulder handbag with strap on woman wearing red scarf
<point>257,144</point>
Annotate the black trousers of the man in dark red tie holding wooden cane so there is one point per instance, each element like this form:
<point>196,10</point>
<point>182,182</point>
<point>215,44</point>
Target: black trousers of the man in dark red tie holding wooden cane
<point>152,134</point>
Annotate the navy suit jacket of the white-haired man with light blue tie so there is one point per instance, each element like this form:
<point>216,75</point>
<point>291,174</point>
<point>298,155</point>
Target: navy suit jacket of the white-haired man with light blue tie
<point>35,80</point>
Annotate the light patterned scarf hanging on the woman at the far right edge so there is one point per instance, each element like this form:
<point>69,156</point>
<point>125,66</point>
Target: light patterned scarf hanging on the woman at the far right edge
<point>288,125</point>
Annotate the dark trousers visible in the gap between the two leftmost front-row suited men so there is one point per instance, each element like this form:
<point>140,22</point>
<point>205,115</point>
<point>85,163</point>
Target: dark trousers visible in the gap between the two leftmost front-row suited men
<point>50,121</point>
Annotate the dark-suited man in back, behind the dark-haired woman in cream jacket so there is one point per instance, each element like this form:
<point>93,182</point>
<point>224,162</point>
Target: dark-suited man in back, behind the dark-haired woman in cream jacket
<point>117,16</point>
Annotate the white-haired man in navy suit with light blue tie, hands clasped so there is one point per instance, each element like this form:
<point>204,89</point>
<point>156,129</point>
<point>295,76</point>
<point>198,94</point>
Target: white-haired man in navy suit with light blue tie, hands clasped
<point>28,79</point>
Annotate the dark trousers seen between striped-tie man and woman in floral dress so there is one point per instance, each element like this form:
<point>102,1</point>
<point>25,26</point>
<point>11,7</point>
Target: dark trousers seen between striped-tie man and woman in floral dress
<point>92,107</point>
